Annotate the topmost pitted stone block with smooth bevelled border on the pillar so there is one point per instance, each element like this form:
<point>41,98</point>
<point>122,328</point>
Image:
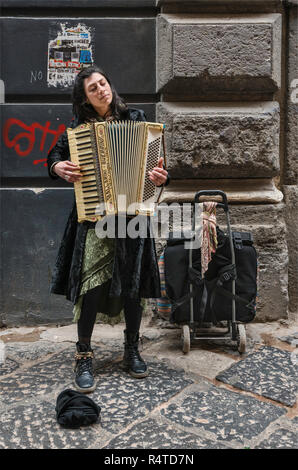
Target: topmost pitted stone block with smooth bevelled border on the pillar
<point>199,54</point>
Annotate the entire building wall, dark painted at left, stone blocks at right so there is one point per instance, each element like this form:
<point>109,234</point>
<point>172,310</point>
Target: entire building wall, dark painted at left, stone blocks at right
<point>221,74</point>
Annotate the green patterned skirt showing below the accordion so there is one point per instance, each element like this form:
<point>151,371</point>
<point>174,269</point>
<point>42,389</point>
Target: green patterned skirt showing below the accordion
<point>97,269</point>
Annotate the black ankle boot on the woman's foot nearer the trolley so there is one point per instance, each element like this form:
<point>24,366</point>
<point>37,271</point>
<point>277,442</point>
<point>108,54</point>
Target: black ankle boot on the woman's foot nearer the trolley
<point>132,360</point>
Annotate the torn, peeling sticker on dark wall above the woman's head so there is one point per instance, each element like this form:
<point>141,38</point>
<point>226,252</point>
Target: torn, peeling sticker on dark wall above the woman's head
<point>70,49</point>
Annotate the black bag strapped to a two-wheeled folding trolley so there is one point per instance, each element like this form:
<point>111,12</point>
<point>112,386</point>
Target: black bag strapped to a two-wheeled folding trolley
<point>228,291</point>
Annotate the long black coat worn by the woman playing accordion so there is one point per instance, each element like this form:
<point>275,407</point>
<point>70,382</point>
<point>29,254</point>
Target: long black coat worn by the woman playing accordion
<point>135,271</point>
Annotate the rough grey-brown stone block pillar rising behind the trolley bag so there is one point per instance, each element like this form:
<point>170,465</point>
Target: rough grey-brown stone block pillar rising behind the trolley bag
<point>221,88</point>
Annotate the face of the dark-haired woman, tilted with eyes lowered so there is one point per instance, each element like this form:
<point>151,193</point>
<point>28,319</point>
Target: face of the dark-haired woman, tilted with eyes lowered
<point>98,93</point>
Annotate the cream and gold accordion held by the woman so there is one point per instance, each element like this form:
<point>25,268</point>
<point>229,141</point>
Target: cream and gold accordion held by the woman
<point>114,158</point>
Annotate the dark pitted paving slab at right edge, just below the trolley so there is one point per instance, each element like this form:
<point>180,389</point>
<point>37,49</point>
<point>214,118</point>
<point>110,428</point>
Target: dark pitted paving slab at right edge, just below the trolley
<point>269,372</point>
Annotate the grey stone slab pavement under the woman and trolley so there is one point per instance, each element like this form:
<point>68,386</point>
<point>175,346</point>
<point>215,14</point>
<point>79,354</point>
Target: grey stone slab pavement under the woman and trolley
<point>210,398</point>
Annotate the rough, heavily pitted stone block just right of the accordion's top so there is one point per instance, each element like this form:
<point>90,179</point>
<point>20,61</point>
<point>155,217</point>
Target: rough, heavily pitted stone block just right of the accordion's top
<point>221,140</point>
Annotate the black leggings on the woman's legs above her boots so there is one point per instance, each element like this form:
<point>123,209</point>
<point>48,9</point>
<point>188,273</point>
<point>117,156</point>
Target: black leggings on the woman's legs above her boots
<point>132,312</point>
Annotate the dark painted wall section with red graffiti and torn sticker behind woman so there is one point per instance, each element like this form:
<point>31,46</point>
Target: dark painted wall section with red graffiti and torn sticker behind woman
<point>35,100</point>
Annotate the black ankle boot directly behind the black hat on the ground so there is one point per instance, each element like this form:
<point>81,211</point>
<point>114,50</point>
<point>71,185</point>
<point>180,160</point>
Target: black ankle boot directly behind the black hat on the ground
<point>84,380</point>
